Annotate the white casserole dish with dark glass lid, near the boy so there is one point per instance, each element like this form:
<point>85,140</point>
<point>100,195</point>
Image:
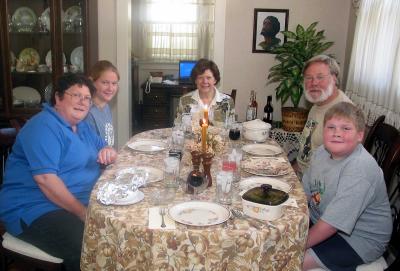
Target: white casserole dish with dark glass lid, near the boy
<point>264,202</point>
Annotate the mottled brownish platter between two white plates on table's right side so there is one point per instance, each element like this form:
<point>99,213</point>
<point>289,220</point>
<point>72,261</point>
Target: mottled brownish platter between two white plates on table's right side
<point>265,166</point>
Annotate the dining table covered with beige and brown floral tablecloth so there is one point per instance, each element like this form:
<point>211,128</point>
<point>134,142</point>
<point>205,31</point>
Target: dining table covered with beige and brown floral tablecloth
<point>119,237</point>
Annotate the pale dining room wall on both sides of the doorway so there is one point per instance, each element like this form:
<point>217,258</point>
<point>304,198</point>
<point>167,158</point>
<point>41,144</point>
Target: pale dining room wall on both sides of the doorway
<point>240,68</point>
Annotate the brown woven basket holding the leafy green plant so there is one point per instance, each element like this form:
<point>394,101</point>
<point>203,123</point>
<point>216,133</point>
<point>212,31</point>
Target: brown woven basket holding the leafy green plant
<point>294,119</point>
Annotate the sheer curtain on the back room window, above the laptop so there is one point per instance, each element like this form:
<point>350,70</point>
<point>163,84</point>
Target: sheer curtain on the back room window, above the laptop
<point>171,30</point>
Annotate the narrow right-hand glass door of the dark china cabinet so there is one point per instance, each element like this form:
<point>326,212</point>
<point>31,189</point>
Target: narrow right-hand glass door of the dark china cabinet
<point>73,35</point>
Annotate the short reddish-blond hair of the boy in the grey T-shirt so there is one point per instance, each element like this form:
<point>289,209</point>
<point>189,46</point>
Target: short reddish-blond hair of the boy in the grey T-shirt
<point>348,111</point>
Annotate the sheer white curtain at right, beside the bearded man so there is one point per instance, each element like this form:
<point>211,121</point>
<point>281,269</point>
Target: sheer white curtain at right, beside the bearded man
<point>374,73</point>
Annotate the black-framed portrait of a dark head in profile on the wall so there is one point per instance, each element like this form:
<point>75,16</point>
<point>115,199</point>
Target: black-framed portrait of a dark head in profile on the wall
<point>267,26</point>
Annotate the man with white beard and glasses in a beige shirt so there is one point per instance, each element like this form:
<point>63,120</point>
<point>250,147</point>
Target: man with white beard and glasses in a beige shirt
<point>321,82</point>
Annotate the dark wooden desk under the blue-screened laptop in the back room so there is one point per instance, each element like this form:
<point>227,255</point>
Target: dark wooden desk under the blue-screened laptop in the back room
<point>159,104</point>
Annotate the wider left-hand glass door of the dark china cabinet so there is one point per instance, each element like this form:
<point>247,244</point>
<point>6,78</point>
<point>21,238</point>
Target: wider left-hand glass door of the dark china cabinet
<point>30,53</point>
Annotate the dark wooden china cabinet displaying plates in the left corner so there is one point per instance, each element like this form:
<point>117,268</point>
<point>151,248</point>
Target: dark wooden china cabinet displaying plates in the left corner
<point>39,41</point>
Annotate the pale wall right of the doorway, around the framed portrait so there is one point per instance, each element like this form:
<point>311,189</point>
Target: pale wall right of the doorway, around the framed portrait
<point>247,71</point>
